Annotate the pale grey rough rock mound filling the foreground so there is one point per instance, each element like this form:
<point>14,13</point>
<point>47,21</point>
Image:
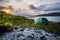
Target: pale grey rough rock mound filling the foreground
<point>29,34</point>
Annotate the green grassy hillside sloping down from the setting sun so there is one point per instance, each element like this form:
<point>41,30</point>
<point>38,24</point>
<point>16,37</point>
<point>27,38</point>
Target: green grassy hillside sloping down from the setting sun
<point>16,20</point>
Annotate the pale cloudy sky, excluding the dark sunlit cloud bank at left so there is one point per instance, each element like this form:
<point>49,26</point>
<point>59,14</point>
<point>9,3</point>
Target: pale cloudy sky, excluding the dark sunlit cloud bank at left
<point>32,7</point>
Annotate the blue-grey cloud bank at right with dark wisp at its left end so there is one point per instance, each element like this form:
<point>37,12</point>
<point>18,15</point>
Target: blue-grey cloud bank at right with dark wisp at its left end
<point>47,8</point>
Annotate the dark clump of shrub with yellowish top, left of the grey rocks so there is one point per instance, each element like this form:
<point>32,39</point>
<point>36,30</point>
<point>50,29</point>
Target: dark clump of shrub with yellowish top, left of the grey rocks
<point>6,27</point>
